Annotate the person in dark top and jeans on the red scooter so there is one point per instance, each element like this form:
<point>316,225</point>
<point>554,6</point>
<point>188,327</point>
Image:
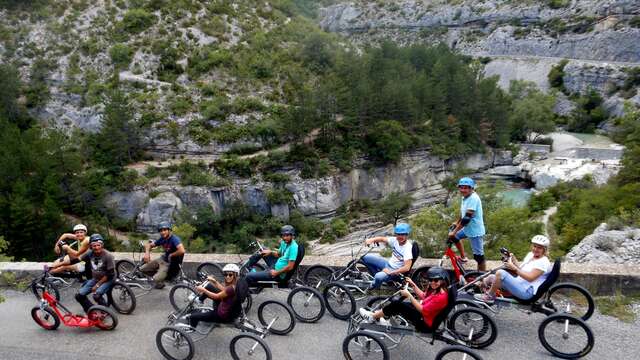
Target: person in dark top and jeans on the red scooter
<point>102,273</point>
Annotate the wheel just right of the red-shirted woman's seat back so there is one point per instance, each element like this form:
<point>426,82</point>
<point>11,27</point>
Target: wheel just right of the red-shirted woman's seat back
<point>473,326</point>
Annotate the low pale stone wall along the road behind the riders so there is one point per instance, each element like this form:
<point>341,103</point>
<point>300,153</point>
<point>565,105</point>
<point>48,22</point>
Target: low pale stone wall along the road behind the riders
<point>605,279</point>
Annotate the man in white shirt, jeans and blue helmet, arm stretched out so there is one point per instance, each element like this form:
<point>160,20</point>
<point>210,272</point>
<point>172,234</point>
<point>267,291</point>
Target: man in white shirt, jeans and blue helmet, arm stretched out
<point>382,269</point>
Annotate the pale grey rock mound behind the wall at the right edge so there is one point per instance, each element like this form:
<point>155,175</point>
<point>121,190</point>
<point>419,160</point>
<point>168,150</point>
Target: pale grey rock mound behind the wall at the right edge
<point>608,247</point>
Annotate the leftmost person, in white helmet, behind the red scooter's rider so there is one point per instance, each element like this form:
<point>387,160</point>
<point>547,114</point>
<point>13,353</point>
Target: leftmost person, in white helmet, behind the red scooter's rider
<point>70,261</point>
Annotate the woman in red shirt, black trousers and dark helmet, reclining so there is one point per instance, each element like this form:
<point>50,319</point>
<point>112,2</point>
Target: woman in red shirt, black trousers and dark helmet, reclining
<point>421,313</point>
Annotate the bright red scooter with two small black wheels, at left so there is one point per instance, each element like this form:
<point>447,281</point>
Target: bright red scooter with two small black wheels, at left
<point>48,313</point>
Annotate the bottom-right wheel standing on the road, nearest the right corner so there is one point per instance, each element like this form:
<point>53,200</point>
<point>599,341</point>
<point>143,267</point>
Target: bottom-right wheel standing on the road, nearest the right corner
<point>566,336</point>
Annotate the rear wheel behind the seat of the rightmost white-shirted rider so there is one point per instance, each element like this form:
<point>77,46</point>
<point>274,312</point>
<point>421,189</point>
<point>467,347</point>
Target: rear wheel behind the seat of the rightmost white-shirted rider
<point>571,299</point>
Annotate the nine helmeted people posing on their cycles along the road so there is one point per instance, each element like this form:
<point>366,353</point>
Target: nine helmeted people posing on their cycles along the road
<point>520,279</point>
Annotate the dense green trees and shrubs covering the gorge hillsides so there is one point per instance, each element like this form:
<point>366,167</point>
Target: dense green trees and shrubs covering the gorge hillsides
<point>288,80</point>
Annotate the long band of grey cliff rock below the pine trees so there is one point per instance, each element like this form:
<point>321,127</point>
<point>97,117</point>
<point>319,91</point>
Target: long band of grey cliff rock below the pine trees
<point>418,173</point>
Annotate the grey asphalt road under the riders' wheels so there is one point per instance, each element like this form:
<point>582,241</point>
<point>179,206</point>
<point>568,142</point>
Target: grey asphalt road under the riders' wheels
<point>21,338</point>
